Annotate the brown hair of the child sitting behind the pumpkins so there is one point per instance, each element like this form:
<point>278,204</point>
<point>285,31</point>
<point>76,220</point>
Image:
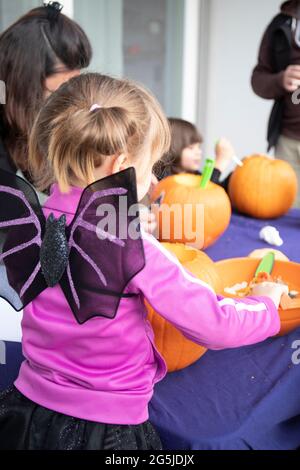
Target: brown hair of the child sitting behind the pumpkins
<point>183,134</point>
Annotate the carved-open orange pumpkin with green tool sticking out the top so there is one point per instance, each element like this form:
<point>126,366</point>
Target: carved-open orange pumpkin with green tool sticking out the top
<point>190,214</point>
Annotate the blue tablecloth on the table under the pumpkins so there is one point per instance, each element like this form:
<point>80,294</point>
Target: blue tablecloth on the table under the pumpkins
<point>248,398</point>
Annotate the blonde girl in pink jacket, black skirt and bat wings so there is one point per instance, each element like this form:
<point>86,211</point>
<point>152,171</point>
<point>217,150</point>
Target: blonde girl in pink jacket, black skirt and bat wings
<point>91,363</point>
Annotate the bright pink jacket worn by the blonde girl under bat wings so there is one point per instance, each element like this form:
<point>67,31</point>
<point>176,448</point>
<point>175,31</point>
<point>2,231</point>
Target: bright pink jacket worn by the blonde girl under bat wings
<point>105,370</point>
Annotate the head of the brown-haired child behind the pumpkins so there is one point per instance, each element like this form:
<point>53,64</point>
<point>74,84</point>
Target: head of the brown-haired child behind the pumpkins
<point>185,153</point>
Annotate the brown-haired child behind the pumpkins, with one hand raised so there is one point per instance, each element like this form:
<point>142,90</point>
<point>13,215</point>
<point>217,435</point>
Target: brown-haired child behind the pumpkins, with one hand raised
<point>185,154</point>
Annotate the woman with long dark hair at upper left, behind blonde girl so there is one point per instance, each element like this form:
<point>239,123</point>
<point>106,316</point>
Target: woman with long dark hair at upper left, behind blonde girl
<point>38,53</point>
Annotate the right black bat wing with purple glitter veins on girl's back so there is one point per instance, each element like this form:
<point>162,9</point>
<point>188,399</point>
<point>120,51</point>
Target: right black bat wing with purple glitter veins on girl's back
<point>106,249</point>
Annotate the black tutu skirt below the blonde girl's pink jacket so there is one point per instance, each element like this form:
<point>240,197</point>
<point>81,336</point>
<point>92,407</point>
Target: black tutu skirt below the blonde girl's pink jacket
<point>24,425</point>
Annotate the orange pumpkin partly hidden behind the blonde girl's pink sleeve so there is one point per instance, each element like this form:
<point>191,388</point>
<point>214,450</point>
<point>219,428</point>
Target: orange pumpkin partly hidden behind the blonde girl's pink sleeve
<point>178,351</point>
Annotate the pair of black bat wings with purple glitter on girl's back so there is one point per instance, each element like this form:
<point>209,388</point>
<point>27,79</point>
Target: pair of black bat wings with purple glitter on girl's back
<point>92,266</point>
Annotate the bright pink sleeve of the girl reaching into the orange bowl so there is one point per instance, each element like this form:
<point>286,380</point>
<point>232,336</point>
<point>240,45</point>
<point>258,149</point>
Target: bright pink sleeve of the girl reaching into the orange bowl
<point>194,308</point>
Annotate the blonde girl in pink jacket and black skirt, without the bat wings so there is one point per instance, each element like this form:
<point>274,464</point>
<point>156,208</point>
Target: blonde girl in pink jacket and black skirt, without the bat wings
<point>88,385</point>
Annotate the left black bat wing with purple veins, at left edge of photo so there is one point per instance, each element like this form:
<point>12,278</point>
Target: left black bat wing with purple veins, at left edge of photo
<point>22,225</point>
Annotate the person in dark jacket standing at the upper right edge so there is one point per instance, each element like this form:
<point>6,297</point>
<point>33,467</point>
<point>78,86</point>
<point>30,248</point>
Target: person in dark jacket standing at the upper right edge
<point>277,76</point>
